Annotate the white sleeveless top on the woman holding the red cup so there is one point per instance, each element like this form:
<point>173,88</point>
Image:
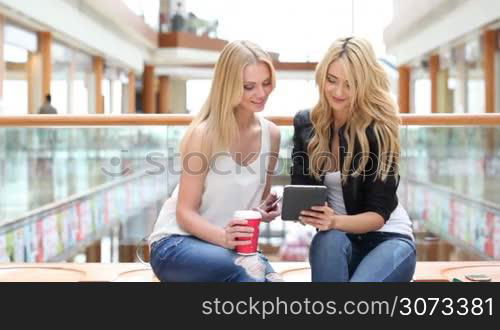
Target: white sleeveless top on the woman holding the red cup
<point>228,187</point>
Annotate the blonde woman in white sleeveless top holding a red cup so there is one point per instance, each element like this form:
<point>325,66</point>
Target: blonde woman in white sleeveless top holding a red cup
<point>228,153</point>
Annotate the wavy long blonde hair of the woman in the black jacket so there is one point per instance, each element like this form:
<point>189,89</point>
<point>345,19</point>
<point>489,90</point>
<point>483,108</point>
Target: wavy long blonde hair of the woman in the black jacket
<point>371,103</point>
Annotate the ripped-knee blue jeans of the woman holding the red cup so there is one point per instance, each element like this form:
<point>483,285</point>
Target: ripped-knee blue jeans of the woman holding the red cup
<point>179,258</point>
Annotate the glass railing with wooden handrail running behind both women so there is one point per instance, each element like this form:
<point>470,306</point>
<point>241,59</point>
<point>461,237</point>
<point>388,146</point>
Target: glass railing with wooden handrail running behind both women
<point>66,189</point>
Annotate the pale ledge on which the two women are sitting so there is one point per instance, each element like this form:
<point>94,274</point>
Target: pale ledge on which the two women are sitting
<point>291,272</point>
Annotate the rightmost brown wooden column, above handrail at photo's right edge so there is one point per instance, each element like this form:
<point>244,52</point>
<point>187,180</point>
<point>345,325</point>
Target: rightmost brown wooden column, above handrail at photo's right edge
<point>490,46</point>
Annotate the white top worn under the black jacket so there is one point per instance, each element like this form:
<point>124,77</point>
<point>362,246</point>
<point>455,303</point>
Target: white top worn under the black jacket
<point>399,221</point>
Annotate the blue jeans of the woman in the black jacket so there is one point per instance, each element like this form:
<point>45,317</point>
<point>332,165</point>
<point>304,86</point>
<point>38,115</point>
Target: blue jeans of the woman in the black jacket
<point>372,257</point>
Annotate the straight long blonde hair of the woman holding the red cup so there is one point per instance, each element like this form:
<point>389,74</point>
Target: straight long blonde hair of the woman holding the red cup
<point>218,112</point>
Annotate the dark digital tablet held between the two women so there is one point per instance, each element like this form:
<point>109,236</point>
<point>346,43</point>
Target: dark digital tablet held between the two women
<point>297,198</point>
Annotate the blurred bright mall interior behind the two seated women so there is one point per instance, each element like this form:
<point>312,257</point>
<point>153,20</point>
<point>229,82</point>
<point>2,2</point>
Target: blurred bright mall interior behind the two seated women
<point>93,193</point>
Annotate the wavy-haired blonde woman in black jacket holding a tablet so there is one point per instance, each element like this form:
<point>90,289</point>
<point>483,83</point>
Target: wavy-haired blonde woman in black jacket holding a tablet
<point>349,142</point>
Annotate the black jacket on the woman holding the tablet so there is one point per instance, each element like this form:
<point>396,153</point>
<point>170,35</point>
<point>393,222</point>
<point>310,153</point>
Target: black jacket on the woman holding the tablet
<point>362,193</point>
